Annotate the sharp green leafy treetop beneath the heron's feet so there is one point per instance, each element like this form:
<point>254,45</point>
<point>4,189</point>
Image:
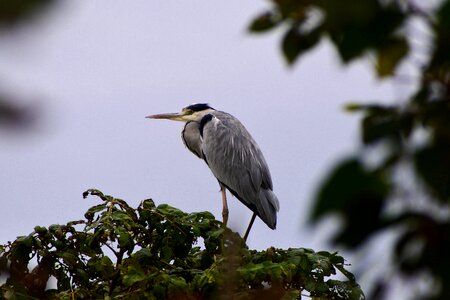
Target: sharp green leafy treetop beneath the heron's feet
<point>151,253</point>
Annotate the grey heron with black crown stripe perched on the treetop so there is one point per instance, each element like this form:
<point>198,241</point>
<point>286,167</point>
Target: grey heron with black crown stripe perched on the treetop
<point>233,156</point>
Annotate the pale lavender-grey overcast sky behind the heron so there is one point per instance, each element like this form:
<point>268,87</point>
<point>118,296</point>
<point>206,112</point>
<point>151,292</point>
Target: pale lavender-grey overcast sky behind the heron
<point>97,68</point>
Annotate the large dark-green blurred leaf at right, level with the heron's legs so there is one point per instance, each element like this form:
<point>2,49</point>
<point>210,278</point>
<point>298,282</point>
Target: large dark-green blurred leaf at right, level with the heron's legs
<point>357,195</point>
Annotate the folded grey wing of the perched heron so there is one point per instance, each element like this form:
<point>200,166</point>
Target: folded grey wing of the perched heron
<point>237,162</point>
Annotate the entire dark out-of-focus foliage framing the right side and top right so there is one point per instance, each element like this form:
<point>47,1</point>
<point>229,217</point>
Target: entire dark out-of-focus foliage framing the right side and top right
<point>413,135</point>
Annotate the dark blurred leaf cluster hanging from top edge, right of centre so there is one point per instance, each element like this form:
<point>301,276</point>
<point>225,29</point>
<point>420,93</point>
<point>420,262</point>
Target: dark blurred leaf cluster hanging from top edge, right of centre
<point>353,26</point>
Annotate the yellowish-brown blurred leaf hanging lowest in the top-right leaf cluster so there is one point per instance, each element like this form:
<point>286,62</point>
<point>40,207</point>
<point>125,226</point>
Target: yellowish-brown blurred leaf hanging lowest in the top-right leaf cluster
<point>390,54</point>
